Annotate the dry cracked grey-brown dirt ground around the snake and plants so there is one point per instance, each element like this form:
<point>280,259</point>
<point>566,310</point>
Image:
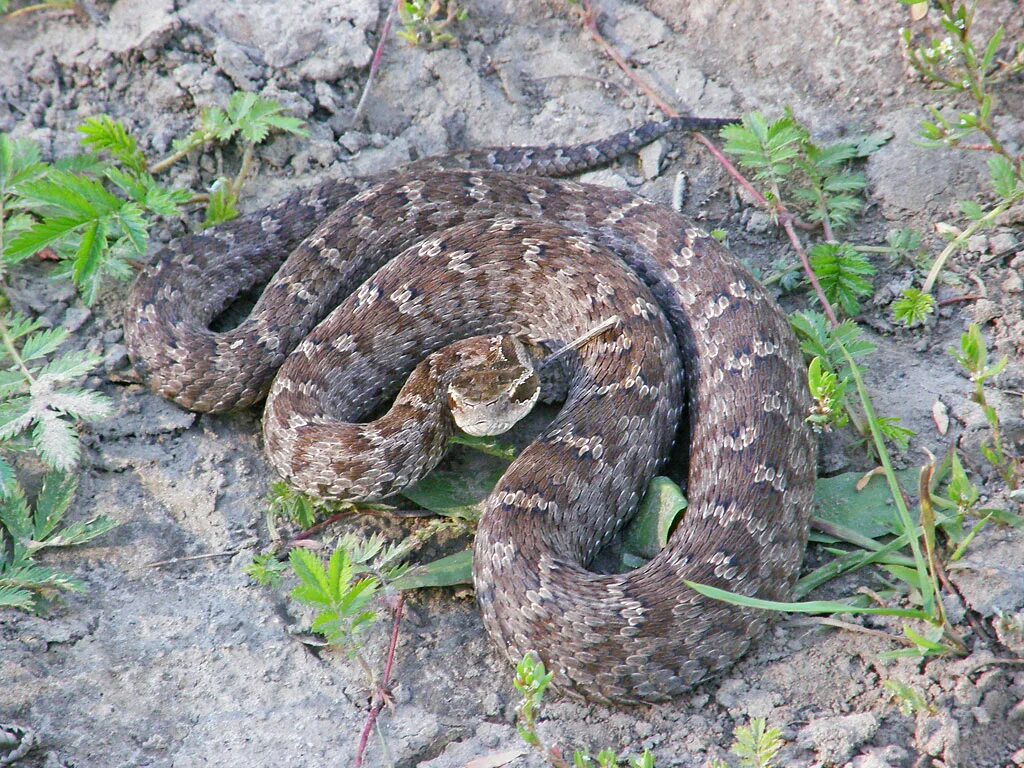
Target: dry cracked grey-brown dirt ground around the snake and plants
<point>191,665</point>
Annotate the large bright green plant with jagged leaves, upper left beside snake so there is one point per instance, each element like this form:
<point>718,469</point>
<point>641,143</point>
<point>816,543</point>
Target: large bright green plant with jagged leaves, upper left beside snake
<point>95,211</point>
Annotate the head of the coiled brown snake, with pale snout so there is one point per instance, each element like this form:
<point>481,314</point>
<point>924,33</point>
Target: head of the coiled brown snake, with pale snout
<point>493,386</point>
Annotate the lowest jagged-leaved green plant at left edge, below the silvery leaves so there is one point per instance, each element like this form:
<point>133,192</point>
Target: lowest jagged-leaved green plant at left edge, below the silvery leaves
<point>26,532</point>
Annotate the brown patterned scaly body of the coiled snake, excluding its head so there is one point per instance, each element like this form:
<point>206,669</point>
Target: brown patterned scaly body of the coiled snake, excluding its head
<point>402,275</point>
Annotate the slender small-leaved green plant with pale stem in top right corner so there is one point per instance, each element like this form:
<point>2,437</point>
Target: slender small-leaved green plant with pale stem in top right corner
<point>964,69</point>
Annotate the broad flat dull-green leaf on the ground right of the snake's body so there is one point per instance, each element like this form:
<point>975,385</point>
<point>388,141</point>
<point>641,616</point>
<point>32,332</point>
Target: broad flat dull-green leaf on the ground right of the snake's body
<point>869,511</point>
